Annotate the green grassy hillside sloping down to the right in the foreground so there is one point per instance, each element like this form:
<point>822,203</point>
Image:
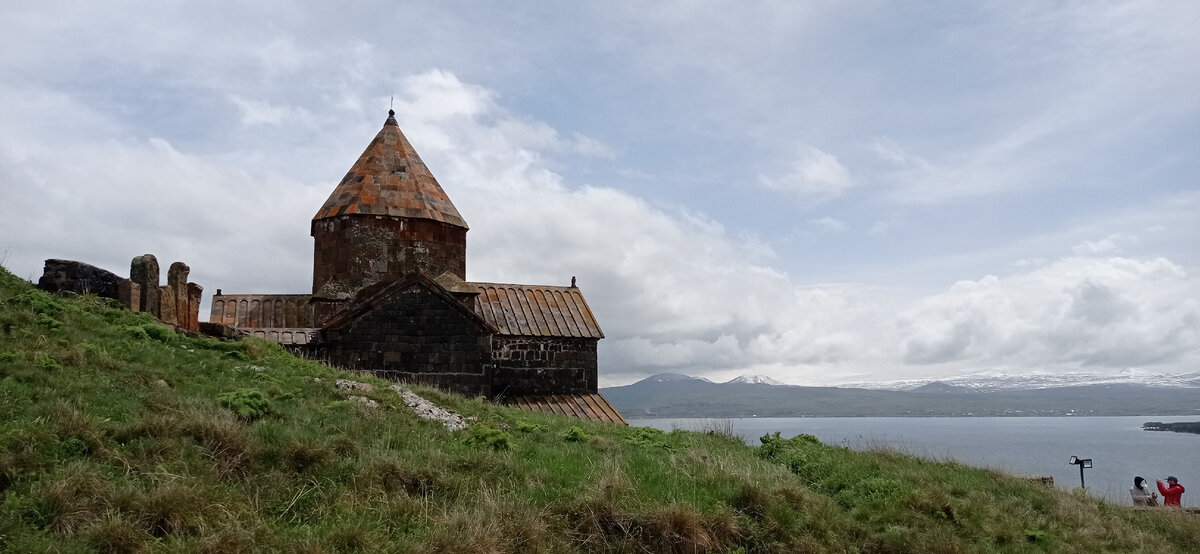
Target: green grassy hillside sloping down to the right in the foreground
<point>117,435</point>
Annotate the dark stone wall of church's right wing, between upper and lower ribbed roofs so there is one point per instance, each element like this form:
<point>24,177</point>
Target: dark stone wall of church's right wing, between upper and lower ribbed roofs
<point>544,366</point>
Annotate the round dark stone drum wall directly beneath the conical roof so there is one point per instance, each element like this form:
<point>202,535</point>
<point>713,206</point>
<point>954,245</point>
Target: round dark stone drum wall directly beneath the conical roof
<point>355,252</point>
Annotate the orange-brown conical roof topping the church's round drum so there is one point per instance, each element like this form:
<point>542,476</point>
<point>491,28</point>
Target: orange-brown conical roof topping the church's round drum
<point>391,180</point>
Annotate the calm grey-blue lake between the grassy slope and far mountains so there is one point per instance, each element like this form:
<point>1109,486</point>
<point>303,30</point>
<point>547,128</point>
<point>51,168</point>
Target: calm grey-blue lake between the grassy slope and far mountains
<point>1119,448</point>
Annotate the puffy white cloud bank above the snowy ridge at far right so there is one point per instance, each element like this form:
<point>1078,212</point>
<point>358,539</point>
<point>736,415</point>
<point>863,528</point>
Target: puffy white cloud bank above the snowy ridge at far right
<point>1076,312</point>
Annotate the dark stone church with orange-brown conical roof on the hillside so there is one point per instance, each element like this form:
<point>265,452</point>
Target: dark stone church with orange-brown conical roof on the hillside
<point>389,297</point>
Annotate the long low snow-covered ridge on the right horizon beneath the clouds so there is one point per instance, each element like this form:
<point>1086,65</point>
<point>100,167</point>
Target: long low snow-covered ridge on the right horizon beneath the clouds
<point>1042,380</point>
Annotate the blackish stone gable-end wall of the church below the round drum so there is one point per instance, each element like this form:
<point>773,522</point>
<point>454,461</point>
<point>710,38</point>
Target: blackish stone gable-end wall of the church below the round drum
<point>415,336</point>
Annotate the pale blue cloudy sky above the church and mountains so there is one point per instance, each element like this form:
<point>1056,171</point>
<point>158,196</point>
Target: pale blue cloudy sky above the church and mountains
<point>817,191</point>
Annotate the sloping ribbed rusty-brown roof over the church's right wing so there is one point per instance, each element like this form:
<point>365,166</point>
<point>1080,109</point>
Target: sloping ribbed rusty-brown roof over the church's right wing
<point>537,311</point>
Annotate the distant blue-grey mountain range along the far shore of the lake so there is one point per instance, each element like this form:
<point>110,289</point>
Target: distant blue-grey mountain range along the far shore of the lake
<point>670,395</point>
